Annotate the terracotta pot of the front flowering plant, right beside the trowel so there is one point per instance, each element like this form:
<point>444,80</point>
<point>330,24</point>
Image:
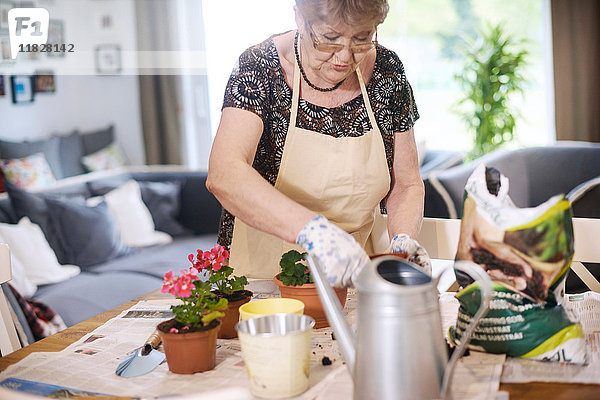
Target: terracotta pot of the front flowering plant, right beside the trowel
<point>190,352</point>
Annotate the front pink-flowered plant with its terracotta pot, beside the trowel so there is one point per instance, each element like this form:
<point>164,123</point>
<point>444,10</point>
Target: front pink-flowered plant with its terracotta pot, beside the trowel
<point>190,339</point>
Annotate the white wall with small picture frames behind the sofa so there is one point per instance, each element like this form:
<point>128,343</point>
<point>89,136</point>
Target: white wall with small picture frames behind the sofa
<point>82,100</point>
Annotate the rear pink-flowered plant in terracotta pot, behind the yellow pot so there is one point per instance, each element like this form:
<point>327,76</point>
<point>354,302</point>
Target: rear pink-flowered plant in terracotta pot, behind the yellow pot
<point>228,286</point>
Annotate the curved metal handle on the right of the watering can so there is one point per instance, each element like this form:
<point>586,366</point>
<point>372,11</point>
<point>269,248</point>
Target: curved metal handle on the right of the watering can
<point>486,290</point>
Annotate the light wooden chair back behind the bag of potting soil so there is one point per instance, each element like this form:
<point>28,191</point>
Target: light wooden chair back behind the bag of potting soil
<point>440,237</point>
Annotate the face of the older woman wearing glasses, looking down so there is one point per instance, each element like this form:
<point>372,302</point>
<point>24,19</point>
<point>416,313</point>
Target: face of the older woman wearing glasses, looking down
<point>332,67</point>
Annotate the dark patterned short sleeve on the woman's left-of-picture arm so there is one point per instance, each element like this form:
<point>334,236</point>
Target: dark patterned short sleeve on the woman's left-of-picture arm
<point>248,84</point>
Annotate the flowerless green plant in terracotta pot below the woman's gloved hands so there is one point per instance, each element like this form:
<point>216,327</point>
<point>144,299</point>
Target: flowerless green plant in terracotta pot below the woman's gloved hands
<point>295,282</point>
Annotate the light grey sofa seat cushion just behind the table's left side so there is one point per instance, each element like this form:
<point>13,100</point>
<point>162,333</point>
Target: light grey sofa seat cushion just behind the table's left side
<point>87,295</point>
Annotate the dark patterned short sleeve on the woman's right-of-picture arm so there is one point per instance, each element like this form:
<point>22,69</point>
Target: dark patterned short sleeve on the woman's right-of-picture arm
<point>402,102</point>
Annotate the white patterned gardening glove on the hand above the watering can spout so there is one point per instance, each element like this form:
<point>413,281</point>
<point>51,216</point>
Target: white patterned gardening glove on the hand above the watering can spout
<point>338,254</point>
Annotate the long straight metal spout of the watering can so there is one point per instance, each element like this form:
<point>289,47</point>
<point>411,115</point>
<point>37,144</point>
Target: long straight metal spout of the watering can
<point>335,316</point>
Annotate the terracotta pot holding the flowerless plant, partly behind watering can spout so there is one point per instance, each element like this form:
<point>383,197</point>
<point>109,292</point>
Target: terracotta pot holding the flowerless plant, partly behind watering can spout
<point>308,294</point>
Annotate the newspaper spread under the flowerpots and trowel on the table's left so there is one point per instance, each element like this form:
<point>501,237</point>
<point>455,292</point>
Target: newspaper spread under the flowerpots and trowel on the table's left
<point>89,364</point>
